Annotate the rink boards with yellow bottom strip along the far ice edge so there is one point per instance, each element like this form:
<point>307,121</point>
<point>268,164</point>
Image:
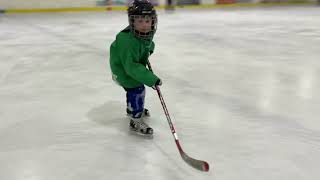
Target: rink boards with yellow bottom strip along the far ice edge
<point>204,4</point>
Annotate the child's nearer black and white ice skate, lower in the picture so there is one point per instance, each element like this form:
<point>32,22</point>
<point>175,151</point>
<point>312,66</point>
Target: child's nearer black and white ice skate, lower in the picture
<point>137,125</point>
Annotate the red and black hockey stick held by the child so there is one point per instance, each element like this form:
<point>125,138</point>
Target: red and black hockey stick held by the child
<point>197,164</point>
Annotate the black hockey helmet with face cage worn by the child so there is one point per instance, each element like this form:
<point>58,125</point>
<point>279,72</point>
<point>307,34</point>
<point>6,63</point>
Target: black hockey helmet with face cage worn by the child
<point>142,9</point>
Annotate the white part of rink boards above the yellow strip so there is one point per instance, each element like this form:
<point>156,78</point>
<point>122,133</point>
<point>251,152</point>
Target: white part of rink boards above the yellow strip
<point>39,4</point>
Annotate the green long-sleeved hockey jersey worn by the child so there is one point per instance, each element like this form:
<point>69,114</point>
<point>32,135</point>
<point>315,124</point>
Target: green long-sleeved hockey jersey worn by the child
<point>128,59</point>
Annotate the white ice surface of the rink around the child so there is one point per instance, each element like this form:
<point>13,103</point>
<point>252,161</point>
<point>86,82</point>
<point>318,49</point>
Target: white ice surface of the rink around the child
<point>242,87</point>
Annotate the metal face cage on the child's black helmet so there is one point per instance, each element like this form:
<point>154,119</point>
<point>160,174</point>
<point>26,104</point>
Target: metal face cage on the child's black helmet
<point>147,35</point>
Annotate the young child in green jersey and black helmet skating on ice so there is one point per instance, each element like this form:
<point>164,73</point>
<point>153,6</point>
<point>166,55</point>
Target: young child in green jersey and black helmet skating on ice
<point>128,59</point>
